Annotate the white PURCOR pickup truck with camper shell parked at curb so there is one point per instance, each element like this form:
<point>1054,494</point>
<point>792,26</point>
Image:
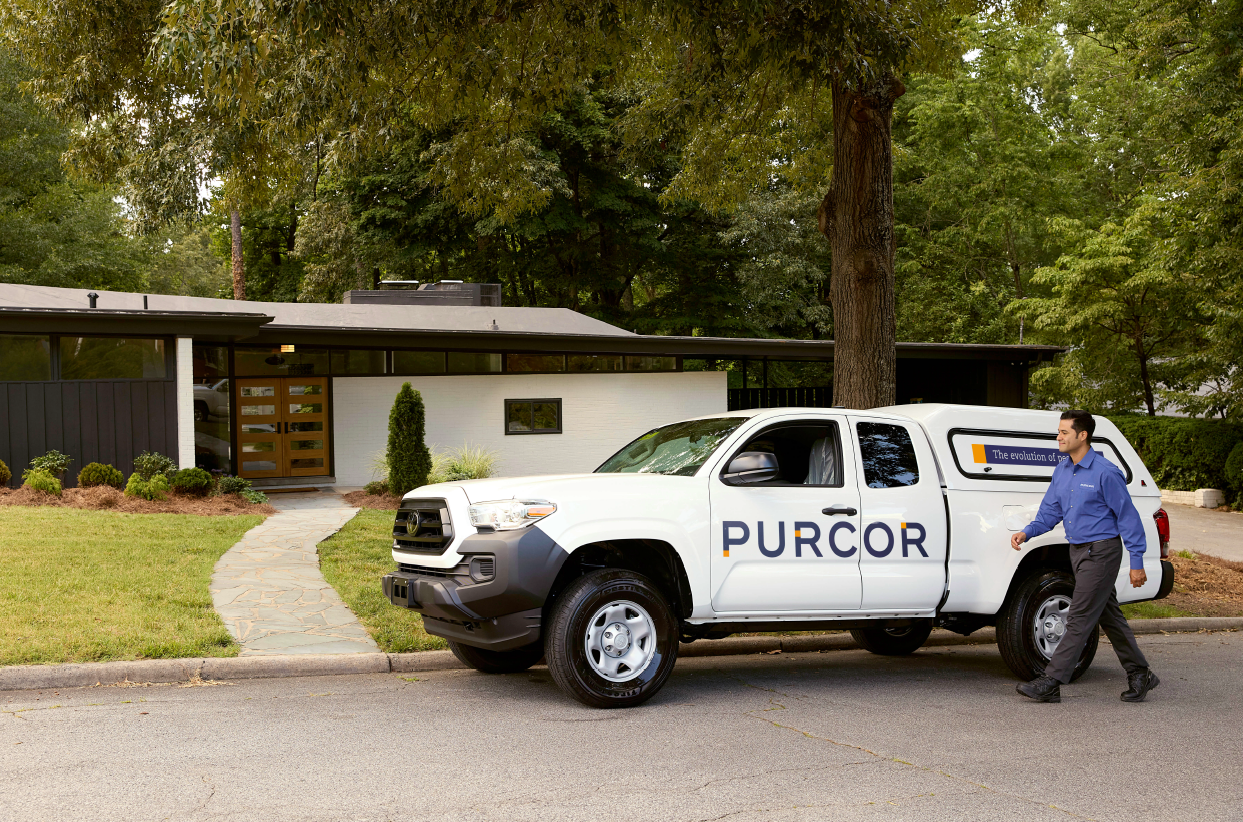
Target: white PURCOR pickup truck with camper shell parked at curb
<point>886,523</point>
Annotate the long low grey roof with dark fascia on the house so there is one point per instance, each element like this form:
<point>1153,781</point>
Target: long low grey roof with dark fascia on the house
<point>50,310</point>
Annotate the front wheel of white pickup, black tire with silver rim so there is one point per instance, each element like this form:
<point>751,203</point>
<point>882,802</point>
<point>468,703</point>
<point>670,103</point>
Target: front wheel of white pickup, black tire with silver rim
<point>582,612</point>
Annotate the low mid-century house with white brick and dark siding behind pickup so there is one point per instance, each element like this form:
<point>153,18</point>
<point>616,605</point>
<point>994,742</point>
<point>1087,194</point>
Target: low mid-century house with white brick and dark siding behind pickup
<point>300,394</point>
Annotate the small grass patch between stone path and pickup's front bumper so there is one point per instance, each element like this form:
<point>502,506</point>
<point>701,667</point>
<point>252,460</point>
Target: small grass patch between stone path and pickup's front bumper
<point>352,561</point>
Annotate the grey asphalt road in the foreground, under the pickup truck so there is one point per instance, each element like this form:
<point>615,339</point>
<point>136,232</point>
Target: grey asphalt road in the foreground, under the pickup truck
<point>838,736</point>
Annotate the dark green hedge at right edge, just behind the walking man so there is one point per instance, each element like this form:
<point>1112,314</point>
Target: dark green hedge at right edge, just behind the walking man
<point>1184,455</point>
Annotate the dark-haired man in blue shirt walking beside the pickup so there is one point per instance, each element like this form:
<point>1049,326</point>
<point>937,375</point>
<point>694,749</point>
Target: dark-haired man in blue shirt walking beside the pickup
<point>1091,497</point>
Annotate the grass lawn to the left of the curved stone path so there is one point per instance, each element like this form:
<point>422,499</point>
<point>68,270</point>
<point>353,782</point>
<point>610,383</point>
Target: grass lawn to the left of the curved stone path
<point>95,586</point>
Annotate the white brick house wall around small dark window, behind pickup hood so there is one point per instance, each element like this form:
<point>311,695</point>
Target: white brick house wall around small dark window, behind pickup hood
<point>601,413</point>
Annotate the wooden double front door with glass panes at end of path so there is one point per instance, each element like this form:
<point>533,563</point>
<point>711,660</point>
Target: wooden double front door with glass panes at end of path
<point>283,427</point>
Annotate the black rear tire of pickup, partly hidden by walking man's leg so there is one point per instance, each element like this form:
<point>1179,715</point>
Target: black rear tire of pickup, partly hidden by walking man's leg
<point>1017,637</point>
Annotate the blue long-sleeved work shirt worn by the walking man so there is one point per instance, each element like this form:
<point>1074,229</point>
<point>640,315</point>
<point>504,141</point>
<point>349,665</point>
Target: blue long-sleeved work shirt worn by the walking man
<point>1093,502</point>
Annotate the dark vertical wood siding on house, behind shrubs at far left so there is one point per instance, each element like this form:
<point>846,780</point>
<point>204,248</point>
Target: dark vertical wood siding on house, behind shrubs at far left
<point>93,421</point>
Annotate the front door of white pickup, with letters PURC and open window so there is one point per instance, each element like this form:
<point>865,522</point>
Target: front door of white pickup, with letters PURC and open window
<point>786,542</point>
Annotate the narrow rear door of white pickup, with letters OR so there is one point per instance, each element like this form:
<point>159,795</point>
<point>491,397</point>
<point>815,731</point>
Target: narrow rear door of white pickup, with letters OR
<point>903,540</point>
